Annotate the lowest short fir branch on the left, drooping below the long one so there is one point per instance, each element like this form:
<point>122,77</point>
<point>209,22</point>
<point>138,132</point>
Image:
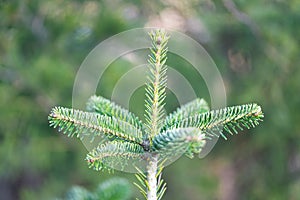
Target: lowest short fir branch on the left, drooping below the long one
<point>115,154</point>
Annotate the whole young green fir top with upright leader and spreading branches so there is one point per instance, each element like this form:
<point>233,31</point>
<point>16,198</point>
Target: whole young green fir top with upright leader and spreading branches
<point>125,137</point>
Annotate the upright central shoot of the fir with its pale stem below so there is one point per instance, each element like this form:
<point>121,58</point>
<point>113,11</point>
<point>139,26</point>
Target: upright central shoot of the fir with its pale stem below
<point>155,96</point>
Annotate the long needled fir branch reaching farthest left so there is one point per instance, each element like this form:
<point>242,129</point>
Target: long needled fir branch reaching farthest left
<point>81,124</point>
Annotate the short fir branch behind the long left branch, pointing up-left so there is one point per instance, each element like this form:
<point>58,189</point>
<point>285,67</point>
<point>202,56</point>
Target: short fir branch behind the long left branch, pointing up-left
<point>104,106</point>
